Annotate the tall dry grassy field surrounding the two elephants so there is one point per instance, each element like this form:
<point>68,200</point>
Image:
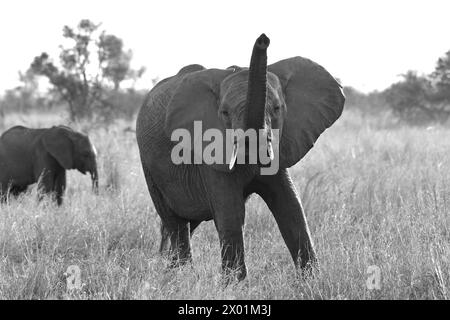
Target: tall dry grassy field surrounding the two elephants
<point>375,193</point>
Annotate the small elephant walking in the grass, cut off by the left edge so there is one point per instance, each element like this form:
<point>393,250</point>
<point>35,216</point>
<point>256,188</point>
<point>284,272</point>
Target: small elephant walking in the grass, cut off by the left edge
<point>43,155</point>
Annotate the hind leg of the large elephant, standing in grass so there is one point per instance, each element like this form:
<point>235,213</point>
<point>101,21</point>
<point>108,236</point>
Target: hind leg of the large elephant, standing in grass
<point>172,227</point>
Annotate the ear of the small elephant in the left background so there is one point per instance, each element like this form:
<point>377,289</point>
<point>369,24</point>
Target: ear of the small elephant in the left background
<point>59,145</point>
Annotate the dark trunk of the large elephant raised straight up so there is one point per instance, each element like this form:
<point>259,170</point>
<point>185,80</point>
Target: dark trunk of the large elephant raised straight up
<point>257,80</point>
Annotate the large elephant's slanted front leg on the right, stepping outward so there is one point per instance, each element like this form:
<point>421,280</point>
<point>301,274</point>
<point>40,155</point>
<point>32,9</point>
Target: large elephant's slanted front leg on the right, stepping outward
<point>279,193</point>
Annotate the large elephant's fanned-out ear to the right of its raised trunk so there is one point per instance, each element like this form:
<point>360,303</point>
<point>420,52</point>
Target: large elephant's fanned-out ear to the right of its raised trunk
<point>314,101</point>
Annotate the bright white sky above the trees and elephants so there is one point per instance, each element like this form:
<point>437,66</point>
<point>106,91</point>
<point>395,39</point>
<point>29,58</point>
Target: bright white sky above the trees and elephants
<point>366,44</point>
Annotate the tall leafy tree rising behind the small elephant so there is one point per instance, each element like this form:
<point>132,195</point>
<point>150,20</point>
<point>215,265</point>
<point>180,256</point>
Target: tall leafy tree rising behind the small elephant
<point>83,79</point>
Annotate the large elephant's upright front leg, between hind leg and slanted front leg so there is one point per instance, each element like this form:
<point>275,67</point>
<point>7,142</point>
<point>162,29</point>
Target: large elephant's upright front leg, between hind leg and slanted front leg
<point>228,206</point>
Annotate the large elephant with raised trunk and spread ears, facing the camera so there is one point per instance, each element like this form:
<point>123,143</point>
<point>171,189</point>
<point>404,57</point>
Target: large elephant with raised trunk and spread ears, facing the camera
<point>296,96</point>
